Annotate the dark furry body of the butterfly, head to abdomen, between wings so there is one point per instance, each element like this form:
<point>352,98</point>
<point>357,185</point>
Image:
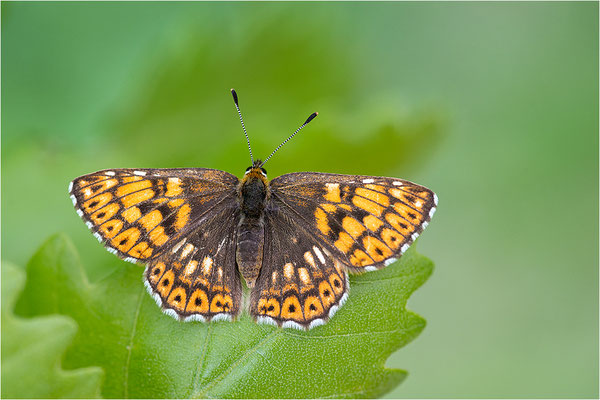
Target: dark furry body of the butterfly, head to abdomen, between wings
<point>253,193</point>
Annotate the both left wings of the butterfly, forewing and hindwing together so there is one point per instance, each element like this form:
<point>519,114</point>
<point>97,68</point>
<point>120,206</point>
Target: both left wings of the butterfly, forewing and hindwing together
<point>180,222</point>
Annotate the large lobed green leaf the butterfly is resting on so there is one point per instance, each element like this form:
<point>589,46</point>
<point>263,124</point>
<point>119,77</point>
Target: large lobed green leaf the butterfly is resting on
<point>148,354</point>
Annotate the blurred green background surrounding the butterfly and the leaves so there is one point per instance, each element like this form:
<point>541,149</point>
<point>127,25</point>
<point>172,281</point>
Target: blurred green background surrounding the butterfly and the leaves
<point>493,106</point>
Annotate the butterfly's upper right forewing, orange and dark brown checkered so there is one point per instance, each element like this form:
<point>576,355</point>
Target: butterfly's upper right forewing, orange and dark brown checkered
<point>366,222</point>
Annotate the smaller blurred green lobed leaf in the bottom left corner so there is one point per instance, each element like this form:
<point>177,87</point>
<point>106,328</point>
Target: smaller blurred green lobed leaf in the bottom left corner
<point>32,350</point>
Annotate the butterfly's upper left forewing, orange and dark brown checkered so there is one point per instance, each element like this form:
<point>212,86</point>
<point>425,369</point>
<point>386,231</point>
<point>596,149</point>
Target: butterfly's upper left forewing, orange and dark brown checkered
<point>137,214</point>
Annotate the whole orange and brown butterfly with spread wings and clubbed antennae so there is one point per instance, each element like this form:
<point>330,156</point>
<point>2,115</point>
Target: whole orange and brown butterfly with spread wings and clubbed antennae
<point>292,240</point>
